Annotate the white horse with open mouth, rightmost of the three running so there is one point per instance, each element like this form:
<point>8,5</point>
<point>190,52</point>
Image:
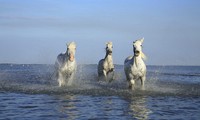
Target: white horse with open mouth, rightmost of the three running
<point>134,66</point>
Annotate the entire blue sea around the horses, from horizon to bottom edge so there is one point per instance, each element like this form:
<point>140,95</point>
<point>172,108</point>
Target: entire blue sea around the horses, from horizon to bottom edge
<point>31,92</point>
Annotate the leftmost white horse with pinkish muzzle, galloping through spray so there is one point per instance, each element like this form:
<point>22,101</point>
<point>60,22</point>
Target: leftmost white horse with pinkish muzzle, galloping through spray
<point>66,65</point>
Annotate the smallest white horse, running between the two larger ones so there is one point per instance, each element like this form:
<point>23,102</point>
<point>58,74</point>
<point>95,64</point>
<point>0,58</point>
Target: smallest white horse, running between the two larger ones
<point>106,66</point>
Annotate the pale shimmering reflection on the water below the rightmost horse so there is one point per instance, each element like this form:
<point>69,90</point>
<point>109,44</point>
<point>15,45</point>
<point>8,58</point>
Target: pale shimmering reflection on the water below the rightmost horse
<point>138,107</point>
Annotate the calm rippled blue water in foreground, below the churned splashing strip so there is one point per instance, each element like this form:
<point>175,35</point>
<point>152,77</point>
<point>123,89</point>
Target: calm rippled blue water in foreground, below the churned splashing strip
<point>70,107</point>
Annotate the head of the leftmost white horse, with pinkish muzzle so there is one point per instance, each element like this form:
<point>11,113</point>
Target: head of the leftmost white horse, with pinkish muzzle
<point>71,49</point>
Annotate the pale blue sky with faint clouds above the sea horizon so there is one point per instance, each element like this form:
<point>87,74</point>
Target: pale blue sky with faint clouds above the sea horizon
<point>36,31</point>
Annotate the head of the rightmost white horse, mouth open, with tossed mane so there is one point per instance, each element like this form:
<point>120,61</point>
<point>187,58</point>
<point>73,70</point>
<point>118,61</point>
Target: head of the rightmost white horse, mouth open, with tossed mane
<point>137,48</point>
